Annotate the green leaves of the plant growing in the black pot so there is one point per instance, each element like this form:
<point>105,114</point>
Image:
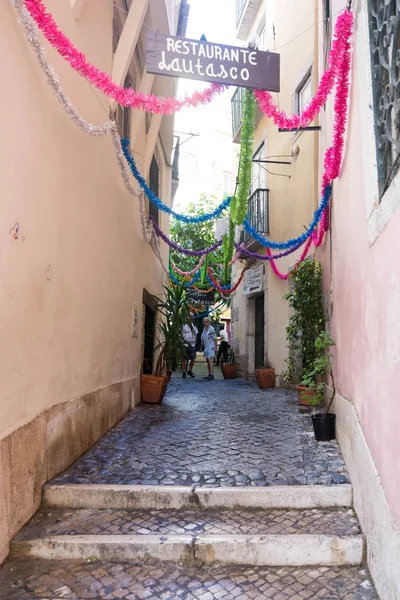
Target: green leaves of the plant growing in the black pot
<point>314,378</point>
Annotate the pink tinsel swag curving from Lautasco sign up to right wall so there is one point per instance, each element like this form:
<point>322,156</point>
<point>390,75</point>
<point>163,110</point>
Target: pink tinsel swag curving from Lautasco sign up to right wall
<point>343,30</point>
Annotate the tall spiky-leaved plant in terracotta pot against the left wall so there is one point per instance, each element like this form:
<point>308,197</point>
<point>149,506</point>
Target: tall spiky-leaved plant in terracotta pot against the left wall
<point>175,313</point>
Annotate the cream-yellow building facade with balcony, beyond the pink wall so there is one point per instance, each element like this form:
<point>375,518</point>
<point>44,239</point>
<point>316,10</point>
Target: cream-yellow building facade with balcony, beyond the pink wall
<point>284,190</point>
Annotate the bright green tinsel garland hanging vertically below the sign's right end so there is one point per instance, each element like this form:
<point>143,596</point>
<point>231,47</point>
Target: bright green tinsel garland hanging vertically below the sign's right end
<point>239,203</point>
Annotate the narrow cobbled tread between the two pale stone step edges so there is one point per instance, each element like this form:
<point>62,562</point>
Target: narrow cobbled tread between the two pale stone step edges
<point>49,522</point>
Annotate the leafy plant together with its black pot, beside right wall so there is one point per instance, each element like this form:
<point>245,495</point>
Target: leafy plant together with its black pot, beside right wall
<point>314,382</point>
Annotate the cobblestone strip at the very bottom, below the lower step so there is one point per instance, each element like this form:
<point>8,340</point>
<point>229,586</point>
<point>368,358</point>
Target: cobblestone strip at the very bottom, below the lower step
<point>78,581</point>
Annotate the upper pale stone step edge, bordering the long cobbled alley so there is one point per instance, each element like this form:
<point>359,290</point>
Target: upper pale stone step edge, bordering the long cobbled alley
<point>167,497</point>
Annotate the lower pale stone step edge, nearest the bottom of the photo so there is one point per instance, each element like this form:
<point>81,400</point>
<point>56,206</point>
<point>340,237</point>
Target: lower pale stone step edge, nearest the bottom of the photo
<point>254,550</point>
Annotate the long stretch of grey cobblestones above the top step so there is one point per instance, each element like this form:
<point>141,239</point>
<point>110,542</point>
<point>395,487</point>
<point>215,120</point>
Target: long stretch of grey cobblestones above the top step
<point>213,433</point>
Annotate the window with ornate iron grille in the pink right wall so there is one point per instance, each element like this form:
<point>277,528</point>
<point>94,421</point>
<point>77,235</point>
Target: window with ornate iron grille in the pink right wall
<point>384,22</point>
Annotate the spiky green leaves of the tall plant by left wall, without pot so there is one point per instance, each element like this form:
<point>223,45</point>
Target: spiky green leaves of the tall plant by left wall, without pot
<point>174,309</point>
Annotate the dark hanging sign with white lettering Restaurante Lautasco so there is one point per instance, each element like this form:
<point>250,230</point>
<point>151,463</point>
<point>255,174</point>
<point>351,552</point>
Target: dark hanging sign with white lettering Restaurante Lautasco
<point>198,59</point>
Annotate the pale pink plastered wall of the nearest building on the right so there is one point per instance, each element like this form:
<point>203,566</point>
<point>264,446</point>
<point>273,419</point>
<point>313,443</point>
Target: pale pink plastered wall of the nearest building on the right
<point>362,279</point>
